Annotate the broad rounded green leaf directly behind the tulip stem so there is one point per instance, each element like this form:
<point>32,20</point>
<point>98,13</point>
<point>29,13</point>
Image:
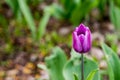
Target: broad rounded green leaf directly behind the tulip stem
<point>74,64</point>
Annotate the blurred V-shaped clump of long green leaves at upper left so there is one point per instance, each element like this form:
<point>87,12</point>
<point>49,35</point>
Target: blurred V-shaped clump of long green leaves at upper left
<point>20,6</point>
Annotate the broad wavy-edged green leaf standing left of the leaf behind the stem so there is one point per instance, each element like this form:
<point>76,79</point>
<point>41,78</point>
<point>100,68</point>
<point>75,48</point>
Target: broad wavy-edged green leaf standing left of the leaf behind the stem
<point>55,64</point>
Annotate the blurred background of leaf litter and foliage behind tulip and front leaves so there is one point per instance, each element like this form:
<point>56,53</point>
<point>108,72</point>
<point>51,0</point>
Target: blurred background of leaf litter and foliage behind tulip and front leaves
<point>30,29</point>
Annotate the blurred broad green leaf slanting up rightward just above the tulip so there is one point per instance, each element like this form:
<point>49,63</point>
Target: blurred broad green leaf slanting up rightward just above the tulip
<point>82,10</point>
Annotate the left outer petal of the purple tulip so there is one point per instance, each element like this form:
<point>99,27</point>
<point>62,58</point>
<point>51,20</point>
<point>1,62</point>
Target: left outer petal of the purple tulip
<point>76,43</point>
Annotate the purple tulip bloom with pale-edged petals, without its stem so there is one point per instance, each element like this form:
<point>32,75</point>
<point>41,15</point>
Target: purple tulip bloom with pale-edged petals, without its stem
<point>82,39</point>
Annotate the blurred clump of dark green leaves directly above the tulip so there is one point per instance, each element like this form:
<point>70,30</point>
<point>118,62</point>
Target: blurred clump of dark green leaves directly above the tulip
<point>76,10</point>
